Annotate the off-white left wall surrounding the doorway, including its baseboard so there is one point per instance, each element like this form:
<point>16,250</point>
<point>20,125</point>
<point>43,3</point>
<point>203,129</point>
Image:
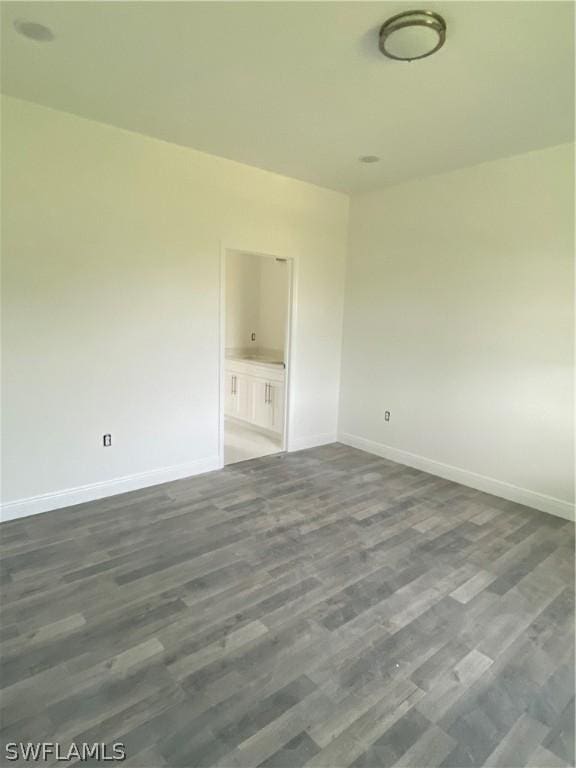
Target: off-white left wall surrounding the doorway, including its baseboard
<point>112,246</point>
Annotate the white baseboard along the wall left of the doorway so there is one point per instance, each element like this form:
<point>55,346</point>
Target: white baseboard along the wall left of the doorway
<point>66,498</point>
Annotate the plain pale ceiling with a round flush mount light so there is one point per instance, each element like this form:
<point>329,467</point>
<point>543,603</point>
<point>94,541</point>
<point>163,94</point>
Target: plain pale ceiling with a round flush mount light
<point>300,88</point>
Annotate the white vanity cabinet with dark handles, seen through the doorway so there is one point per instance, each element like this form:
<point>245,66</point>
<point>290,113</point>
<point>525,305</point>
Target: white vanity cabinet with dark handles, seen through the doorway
<point>254,392</point>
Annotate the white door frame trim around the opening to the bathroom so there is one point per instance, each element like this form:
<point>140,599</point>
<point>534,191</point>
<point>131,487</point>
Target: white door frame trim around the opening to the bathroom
<point>288,344</point>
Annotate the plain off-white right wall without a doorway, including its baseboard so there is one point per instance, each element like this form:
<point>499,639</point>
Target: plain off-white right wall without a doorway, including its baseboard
<point>459,320</point>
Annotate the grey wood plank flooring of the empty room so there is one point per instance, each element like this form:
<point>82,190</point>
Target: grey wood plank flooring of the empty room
<point>321,608</point>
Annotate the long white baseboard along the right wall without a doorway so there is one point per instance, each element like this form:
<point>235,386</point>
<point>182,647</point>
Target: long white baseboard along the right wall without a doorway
<point>540,501</point>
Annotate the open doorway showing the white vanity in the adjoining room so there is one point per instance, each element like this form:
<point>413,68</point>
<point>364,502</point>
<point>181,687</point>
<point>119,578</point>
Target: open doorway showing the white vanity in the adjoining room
<point>256,319</point>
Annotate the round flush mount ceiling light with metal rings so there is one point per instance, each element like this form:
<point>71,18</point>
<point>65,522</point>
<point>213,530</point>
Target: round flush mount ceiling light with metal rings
<point>412,35</point>
